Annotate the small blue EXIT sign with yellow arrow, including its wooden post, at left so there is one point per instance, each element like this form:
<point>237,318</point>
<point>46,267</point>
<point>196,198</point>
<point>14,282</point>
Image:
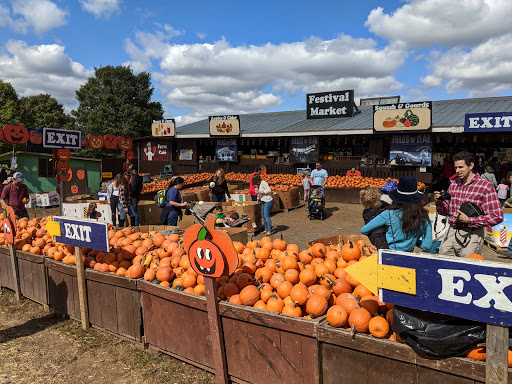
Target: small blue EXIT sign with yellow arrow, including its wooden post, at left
<point>81,233</point>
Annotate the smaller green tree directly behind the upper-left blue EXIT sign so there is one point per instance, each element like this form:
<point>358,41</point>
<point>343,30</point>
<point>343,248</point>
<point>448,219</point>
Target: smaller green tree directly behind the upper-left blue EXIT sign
<point>42,111</point>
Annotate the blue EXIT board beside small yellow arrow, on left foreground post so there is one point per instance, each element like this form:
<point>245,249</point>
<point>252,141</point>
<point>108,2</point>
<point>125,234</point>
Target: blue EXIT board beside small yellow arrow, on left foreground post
<point>85,233</point>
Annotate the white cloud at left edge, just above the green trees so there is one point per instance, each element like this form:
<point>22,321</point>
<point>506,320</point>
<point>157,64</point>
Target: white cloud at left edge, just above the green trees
<point>42,69</point>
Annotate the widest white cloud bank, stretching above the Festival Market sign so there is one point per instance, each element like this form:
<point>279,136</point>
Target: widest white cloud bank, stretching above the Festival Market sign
<point>219,78</point>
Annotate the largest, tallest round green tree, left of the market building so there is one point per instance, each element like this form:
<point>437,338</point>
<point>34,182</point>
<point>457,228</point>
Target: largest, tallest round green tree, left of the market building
<point>118,102</point>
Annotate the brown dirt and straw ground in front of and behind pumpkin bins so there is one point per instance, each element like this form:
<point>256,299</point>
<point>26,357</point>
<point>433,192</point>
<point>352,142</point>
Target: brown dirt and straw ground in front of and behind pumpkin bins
<point>40,347</point>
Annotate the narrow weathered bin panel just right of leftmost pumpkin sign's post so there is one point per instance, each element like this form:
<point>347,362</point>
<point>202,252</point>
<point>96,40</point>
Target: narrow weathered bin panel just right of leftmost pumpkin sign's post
<point>32,273</point>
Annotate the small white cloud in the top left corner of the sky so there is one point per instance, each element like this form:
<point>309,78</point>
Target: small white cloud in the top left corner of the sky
<point>41,15</point>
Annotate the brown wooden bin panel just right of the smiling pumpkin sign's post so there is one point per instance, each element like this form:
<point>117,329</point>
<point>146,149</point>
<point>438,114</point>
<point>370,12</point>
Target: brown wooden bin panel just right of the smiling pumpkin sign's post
<point>265,347</point>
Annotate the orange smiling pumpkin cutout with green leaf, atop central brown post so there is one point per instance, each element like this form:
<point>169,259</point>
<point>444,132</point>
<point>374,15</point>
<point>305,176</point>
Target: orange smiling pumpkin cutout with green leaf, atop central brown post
<point>211,252</point>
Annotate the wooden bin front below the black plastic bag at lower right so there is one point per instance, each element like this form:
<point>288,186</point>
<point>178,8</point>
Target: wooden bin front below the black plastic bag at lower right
<point>365,359</point>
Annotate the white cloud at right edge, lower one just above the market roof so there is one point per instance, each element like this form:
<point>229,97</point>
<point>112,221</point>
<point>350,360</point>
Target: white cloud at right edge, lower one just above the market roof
<point>486,70</point>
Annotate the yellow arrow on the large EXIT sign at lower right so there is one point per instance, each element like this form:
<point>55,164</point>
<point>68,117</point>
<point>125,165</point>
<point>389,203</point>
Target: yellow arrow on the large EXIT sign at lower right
<point>374,276</point>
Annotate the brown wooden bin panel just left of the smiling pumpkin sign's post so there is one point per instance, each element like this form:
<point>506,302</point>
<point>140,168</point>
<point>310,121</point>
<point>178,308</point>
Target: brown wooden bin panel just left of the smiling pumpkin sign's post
<point>176,323</point>
